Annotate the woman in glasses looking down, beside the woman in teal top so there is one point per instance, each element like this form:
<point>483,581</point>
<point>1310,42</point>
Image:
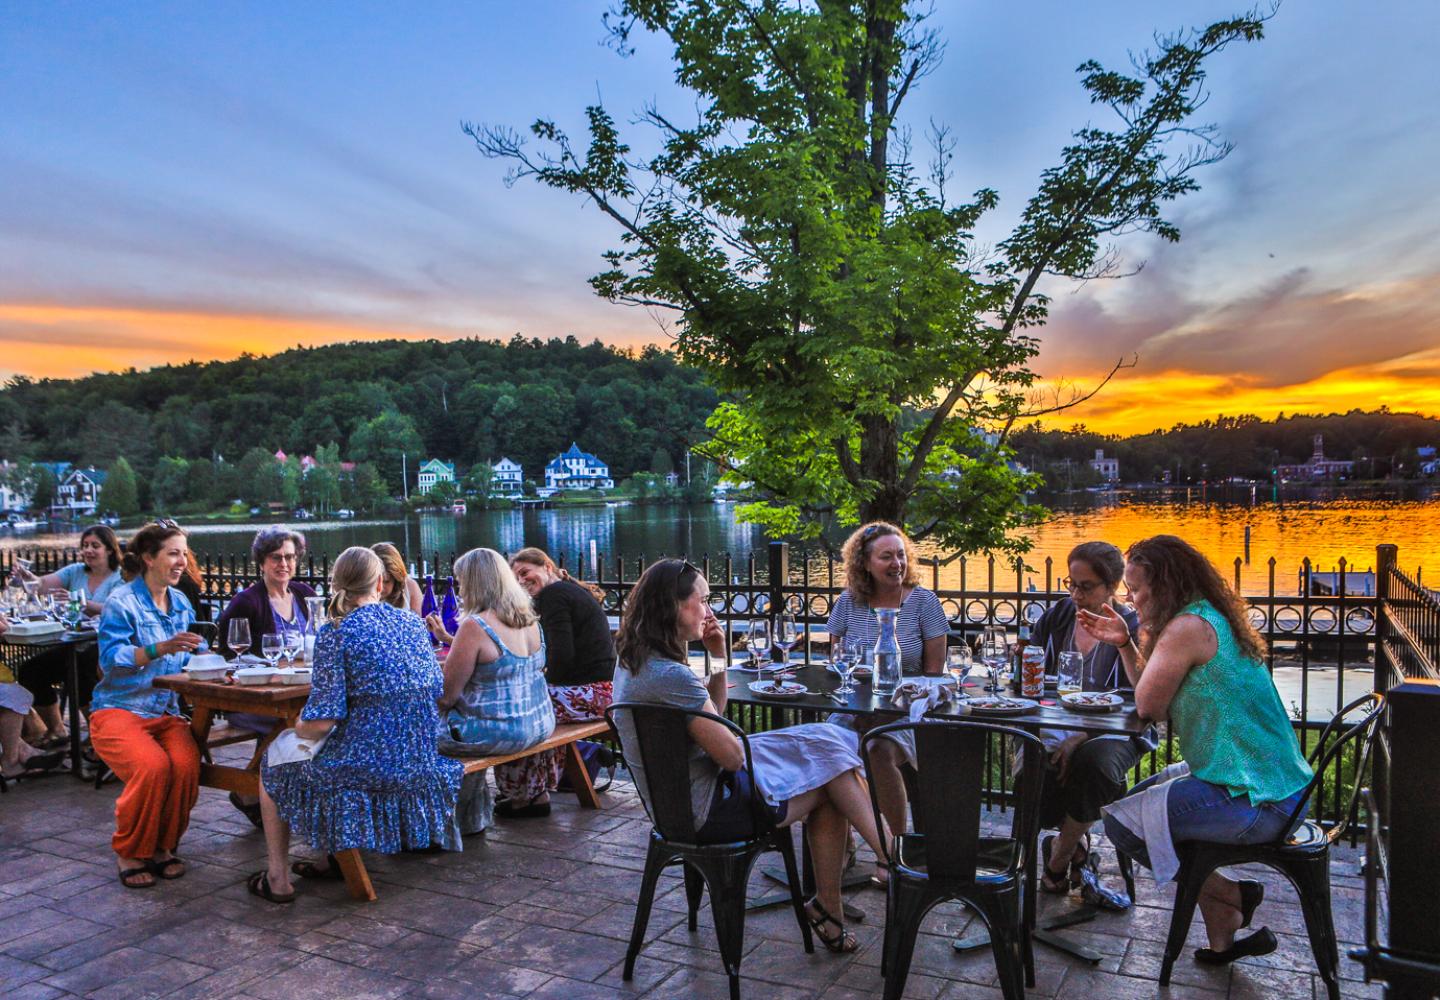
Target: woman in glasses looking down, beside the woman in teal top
<point>1084,773</point>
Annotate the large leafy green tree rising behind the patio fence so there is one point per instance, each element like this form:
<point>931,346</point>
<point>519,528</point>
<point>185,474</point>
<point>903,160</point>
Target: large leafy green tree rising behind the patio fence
<point>873,354</point>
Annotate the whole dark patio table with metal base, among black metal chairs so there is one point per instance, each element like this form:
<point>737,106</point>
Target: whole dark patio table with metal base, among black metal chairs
<point>824,682</point>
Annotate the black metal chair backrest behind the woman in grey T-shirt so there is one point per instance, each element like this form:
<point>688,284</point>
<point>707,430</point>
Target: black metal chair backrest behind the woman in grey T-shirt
<point>659,744</point>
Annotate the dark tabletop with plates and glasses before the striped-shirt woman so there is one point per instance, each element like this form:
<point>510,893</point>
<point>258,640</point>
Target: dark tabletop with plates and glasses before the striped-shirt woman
<point>865,702</point>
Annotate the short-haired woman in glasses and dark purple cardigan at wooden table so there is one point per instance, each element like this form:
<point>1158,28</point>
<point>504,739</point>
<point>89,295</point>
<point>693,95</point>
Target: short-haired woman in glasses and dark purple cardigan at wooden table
<point>273,604</point>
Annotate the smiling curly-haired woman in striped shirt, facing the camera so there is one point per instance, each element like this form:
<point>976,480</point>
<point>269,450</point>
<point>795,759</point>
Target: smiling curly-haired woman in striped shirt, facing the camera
<point>881,573</point>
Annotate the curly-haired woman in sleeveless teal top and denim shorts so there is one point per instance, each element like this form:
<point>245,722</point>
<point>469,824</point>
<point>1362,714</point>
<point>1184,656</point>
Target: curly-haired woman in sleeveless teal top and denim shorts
<point>1200,665</point>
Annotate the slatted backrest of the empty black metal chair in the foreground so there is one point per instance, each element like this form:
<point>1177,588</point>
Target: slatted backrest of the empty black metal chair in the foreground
<point>948,802</point>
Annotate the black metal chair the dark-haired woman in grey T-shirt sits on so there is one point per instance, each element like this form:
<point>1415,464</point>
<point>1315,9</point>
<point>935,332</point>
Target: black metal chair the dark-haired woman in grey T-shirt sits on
<point>662,750</point>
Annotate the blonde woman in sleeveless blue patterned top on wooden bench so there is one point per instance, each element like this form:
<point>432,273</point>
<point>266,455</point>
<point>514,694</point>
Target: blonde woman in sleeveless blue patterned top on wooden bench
<point>496,698</point>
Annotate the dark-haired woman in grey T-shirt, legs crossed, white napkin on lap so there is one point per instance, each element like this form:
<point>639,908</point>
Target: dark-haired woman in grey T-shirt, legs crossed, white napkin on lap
<point>806,773</point>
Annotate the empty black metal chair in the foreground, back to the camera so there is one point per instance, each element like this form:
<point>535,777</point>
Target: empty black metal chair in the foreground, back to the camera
<point>947,858</point>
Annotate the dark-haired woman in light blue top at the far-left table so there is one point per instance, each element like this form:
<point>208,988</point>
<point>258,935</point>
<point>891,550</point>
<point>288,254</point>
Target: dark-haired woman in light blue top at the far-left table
<point>97,576</point>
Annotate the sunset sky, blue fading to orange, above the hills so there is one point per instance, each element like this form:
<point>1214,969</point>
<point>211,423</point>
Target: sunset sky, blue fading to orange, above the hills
<point>188,181</point>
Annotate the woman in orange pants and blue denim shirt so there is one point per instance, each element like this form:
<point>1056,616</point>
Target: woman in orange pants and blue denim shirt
<point>136,727</point>
